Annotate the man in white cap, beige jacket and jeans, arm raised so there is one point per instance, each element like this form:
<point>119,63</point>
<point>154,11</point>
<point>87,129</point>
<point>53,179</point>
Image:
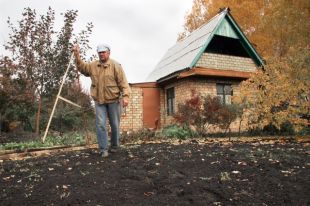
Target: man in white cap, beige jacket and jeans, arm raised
<point>109,86</point>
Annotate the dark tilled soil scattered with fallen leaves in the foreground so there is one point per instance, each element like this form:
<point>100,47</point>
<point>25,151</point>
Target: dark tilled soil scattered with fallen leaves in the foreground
<point>192,173</point>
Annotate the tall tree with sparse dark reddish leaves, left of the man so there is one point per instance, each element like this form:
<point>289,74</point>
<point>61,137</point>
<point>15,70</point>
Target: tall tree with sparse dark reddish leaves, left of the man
<point>40,54</point>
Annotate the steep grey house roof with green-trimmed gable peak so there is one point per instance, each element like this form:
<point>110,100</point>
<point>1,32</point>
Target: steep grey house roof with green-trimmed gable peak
<point>185,53</point>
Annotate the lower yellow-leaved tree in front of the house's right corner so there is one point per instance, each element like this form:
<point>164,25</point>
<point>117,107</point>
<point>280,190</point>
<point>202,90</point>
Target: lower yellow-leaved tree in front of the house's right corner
<point>279,93</point>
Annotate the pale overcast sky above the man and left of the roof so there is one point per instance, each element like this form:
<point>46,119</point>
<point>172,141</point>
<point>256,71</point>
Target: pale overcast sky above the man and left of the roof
<point>138,31</point>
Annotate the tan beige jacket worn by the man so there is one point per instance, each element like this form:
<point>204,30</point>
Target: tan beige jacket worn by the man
<point>108,80</point>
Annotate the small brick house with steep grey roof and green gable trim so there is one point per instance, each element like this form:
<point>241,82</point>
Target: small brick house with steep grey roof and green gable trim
<point>213,60</point>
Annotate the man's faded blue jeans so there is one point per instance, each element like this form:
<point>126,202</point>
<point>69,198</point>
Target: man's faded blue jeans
<point>113,112</point>
